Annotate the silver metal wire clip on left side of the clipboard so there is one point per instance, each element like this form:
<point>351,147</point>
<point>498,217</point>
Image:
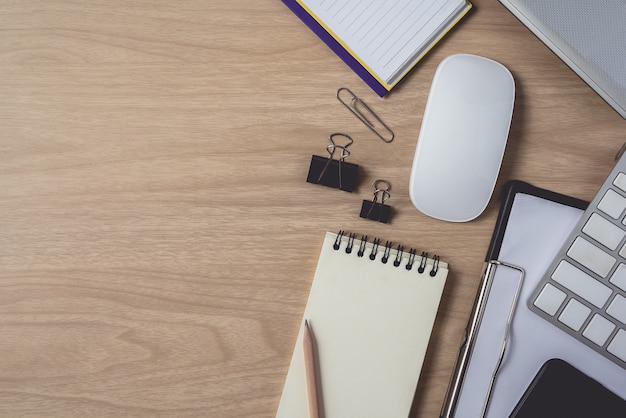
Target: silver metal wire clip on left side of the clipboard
<point>471,334</point>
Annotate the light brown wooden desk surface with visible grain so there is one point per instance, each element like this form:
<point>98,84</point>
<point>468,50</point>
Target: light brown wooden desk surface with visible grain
<point>157,235</point>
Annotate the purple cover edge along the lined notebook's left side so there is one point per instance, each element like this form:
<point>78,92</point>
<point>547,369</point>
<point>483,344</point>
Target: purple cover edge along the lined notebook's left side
<point>336,46</point>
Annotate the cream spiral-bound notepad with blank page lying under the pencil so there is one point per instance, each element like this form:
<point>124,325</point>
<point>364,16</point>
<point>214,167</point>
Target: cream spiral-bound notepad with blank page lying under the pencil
<point>372,306</point>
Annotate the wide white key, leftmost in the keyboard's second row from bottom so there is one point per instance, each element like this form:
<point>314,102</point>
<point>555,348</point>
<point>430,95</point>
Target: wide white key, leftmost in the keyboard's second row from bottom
<point>582,284</point>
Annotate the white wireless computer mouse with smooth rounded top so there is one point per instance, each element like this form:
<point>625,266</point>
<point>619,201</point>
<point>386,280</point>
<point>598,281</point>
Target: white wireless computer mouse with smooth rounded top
<point>462,139</point>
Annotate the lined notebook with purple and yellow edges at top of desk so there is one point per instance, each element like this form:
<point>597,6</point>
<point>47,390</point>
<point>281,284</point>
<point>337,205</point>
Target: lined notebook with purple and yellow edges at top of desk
<point>380,40</point>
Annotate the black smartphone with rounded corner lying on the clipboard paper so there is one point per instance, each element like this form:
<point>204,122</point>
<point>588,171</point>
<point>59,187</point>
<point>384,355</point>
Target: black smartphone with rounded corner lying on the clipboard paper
<point>561,390</point>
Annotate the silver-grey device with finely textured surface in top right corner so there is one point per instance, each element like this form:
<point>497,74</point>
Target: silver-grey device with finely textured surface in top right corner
<point>588,35</point>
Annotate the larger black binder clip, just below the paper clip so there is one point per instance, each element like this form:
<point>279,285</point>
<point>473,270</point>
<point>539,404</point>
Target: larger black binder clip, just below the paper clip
<point>337,174</point>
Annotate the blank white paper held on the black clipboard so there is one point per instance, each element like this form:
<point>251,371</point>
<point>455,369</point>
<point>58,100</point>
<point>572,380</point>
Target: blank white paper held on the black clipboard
<point>535,231</point>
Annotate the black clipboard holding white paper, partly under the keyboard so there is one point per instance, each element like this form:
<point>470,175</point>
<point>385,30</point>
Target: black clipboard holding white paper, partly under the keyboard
<point>505,343</point>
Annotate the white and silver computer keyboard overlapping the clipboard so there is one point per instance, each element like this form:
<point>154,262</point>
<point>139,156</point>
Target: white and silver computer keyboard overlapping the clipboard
<point>584,290</point>
